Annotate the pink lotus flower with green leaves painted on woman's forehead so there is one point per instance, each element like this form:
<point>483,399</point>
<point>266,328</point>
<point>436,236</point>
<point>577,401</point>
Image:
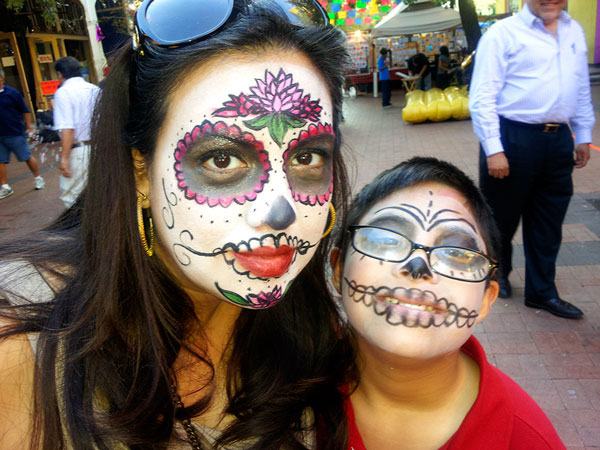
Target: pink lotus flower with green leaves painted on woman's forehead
<point>278,103</point>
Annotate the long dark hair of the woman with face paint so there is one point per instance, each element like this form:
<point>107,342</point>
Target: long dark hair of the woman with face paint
<point>108,339</point>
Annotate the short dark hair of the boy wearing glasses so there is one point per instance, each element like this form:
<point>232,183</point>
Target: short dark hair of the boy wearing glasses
<point>413,172</point>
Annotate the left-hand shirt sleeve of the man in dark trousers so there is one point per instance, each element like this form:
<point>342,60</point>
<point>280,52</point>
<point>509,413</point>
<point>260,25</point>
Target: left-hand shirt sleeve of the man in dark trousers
<point>487,81</point>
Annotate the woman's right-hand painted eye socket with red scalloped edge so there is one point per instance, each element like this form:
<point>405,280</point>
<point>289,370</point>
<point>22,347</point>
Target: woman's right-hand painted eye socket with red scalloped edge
<point>308,164</point>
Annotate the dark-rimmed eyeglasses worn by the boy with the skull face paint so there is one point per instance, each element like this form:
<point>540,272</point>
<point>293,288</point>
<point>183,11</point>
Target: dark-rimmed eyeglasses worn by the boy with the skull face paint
<point>457,263</point>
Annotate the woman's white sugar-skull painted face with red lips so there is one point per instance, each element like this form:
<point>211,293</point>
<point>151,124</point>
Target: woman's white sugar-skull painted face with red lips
<point>241,184</point>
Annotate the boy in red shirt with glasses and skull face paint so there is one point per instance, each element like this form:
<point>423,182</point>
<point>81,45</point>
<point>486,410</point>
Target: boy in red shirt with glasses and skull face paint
<point>414,267</point>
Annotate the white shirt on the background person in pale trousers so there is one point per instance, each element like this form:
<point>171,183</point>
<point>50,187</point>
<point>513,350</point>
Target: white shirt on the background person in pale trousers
<point>73,107</point>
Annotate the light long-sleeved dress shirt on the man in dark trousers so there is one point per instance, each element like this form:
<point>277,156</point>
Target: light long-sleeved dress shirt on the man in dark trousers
<point>525,73</point>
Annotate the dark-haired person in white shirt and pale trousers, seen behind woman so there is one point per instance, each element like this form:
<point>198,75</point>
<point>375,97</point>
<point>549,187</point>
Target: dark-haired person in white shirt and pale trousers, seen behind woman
<point>73,107</point>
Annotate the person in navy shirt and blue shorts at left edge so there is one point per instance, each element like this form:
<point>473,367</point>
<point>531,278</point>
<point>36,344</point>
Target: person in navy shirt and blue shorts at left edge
<point>15,120</point>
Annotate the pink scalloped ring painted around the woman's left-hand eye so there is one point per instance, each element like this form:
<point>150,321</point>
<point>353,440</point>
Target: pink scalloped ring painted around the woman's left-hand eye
<point>219,128</point>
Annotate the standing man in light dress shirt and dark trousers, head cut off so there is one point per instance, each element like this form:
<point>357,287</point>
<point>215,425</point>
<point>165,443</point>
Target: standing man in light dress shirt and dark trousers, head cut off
<point>530,90</point>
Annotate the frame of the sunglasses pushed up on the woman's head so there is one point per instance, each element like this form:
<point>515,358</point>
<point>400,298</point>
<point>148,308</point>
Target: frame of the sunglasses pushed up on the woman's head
<point>143,31</point>
